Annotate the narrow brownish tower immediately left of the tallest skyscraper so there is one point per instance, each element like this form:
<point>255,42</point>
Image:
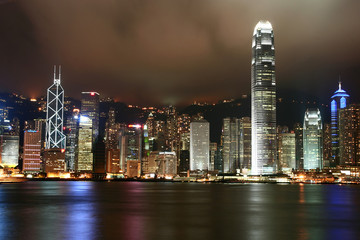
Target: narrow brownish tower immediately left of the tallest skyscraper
<point>245,143</point>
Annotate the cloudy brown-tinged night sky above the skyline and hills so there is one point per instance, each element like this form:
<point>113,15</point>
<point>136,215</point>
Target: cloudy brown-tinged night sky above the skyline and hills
<point>174,52</point>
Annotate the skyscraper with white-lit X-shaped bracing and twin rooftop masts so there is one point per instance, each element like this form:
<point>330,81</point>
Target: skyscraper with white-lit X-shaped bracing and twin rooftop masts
<point>55,114</point>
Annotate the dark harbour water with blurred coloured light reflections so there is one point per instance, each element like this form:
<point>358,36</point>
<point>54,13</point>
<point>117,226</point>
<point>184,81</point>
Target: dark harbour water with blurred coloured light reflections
<point>135,210</point>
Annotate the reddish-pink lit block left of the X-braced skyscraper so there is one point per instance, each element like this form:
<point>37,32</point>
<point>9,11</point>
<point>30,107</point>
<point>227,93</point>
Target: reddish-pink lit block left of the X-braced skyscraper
<point>32,151</point>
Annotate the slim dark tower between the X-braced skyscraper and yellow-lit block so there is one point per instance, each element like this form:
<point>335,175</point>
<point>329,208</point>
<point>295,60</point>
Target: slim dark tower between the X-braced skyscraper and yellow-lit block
<point>72,134</point>
